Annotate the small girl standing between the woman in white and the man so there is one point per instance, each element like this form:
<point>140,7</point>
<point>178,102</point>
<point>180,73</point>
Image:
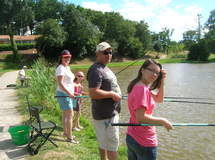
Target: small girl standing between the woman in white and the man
<point>79,91</point>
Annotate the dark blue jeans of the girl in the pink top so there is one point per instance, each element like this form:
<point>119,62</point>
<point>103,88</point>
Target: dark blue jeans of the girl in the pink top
<point>138,152</point>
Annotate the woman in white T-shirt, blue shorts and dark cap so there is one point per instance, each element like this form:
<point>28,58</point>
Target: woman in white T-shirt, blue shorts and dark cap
<point>65,93</point>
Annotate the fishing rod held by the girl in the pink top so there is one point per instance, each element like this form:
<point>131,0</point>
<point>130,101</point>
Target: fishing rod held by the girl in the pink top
<point>173,124</point>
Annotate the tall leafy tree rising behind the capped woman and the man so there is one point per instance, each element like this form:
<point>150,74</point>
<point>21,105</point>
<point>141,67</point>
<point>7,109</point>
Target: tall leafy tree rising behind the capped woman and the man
<point>82,34</point>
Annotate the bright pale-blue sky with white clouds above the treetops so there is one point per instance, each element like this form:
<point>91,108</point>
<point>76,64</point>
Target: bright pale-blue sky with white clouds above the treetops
<point>179,15</point>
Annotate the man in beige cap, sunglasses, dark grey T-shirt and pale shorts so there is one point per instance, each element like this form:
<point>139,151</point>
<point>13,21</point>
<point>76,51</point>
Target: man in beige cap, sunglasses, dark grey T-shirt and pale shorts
<point>106,95</point>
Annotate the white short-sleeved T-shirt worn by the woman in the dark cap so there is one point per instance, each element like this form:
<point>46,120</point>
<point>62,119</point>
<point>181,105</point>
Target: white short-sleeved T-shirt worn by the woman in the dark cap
<point>67,80</point>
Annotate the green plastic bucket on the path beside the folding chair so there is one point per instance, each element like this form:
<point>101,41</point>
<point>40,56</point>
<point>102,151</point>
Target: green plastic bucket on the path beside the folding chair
<point>20,134</point>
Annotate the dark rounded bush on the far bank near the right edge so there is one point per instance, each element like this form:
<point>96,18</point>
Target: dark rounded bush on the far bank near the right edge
<point>199,51</point>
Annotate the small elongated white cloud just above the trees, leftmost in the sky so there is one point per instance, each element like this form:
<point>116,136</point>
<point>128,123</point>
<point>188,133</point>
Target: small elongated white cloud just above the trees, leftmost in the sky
<point>99,7</point>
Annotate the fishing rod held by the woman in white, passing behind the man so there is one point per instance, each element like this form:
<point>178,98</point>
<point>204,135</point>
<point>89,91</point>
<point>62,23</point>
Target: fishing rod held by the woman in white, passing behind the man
<point>165,100</point>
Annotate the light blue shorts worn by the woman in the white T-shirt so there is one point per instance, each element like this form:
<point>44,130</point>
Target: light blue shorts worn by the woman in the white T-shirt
<point>65,102</point>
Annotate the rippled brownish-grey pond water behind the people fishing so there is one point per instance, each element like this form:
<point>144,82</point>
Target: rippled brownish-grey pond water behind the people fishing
<point>183,80</point>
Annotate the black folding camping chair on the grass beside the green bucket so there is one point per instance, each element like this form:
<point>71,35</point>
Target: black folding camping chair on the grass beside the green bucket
<point>41,132</point>
